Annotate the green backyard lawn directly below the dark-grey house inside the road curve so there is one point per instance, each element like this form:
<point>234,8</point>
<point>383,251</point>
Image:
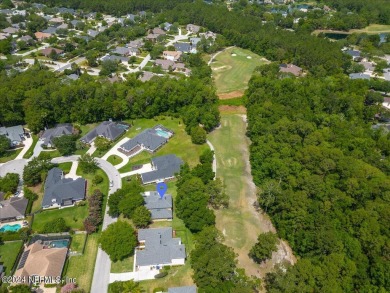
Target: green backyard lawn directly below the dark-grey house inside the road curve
<point>73,216</point>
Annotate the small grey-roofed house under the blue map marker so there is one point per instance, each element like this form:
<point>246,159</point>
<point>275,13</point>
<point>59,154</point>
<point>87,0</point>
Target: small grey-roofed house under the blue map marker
<point>160,207</point>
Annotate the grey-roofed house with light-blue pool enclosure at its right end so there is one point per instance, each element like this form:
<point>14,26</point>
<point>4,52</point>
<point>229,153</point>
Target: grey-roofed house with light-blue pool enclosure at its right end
<point>151,139</point>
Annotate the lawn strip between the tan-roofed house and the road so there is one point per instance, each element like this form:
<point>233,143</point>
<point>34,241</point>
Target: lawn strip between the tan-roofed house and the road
<point>82,267</point>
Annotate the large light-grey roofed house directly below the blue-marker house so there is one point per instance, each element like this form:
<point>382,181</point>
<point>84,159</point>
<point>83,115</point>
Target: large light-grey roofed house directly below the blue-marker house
<point>157,249</point>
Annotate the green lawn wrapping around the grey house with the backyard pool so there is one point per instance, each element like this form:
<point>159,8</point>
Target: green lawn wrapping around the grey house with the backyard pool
<point>179,144</point>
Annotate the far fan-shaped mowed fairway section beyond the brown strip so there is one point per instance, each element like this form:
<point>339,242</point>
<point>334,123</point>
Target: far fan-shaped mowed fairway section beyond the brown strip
<point>232,73</point>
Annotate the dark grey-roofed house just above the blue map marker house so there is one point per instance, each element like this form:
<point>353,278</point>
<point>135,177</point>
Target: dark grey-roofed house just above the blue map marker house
<point>163,168</point>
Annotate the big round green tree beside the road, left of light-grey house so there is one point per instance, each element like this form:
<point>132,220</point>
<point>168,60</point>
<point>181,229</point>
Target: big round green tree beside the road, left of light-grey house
<point>112,240</point>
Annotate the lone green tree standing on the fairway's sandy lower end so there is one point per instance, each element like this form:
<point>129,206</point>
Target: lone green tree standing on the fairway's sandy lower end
<point>266,244</point>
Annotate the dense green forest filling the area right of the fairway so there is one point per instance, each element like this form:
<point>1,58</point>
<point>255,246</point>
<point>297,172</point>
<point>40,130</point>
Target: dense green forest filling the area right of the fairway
<point>323,173</point>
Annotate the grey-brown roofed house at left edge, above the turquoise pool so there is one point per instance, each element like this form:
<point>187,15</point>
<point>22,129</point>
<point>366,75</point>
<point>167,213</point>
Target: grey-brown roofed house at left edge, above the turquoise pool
<point>12,209</point>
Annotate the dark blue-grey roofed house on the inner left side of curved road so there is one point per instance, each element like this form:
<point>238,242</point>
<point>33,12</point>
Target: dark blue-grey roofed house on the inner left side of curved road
<point>61,191</point>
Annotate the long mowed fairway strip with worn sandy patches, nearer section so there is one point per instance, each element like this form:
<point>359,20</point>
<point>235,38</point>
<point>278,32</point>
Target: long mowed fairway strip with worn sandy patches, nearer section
<point>240,223</point>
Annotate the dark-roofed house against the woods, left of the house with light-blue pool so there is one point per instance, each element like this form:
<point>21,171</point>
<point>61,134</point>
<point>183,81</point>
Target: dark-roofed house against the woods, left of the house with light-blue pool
<point>107,129</point>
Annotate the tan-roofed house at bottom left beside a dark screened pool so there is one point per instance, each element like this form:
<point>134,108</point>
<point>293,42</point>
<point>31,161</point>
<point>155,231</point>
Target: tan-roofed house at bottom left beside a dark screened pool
<point>40,260</point>
